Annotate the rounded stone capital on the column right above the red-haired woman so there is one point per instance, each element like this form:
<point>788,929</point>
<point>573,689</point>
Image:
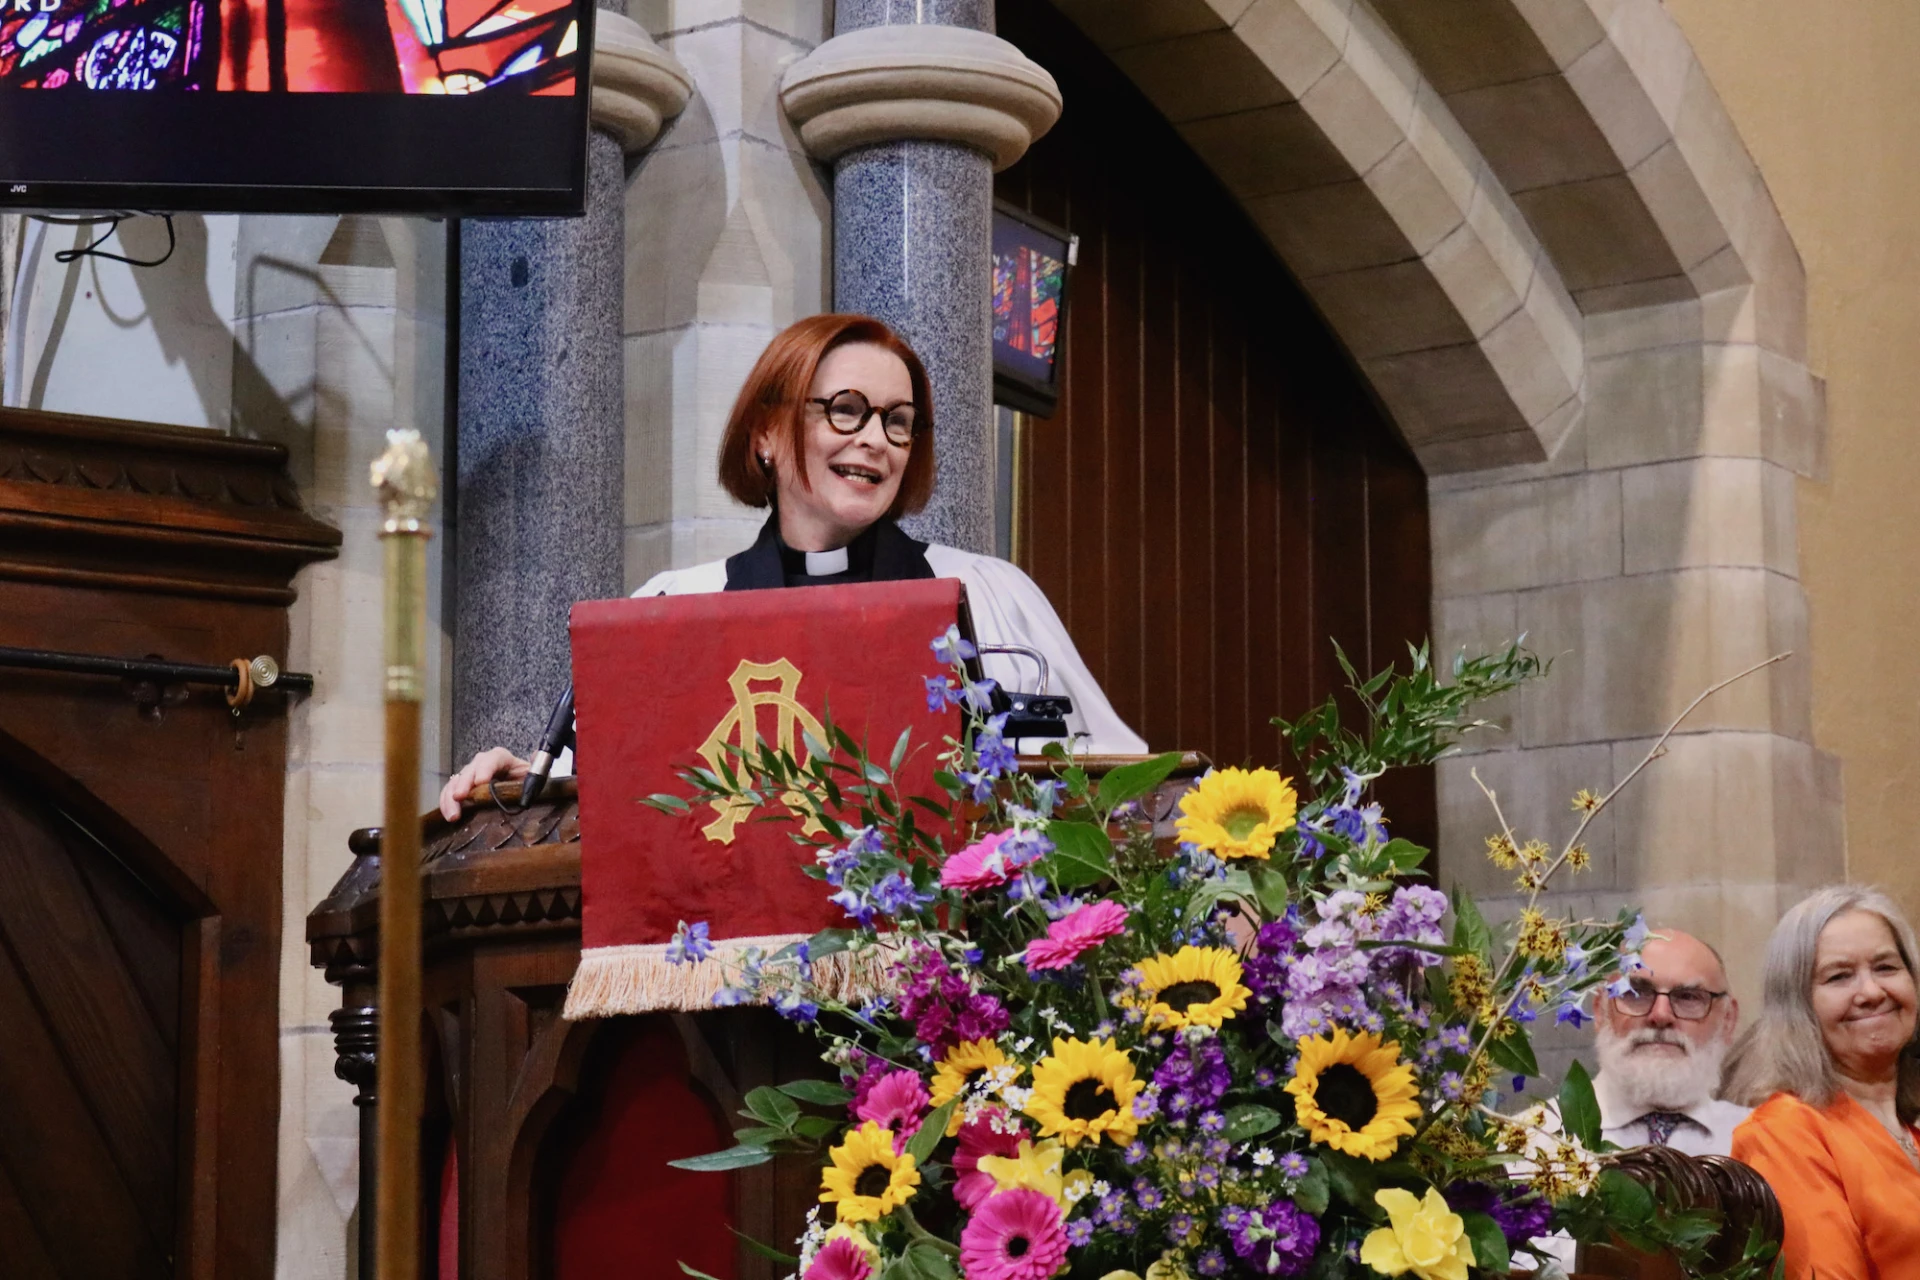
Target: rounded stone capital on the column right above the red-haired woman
<point>924,83</point>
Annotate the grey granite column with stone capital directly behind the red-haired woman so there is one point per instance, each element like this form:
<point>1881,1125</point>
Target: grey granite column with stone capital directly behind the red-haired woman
<point>917,103</point>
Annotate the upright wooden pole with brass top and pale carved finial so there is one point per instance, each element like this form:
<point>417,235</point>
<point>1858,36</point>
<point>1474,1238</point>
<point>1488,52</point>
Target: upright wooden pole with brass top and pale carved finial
<point>404,479</point>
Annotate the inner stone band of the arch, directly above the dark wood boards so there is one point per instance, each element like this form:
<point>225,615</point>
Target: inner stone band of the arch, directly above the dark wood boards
<point>1324,128</point>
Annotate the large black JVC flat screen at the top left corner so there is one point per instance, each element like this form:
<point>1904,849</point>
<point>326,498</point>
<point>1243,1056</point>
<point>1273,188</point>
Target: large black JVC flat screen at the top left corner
<point>295,107</point>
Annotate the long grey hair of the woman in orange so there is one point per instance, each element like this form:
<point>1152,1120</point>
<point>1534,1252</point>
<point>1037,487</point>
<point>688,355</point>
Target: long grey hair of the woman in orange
<point>1785,1051</point>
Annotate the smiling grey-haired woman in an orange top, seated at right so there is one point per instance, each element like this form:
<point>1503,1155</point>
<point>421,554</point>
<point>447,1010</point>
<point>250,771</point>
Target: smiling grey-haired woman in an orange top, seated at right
<point>1835,1072</point>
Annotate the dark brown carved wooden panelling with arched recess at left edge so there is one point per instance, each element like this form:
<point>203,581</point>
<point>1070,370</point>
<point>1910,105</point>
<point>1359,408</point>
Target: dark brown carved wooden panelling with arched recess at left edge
<point>141,960</point>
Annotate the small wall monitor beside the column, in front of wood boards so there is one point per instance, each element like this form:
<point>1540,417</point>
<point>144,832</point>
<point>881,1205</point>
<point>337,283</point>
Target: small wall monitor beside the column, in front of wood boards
<point>1032,262</point>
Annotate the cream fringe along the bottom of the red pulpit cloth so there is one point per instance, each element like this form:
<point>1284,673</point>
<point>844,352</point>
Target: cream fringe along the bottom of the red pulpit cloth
<point>636,980</point>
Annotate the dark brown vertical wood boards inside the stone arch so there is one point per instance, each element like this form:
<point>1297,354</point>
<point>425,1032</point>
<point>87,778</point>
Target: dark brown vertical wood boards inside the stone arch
<point>1218,496</point>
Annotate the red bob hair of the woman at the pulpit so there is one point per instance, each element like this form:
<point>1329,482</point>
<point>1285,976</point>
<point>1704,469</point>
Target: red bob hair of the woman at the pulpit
<point>775,402</point>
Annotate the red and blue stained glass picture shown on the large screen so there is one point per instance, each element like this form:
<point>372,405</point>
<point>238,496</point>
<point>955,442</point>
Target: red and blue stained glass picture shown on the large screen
<point>414,47</point>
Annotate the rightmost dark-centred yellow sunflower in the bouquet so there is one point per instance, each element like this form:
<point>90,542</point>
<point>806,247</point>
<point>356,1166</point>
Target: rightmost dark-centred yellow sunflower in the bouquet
<point>1355,1095</point>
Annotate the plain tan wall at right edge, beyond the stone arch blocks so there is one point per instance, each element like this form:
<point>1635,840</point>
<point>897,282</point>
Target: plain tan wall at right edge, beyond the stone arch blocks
<point>1829,105</point>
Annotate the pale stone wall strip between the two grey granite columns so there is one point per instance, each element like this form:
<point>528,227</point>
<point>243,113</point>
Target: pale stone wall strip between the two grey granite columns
<point>729,239</point>
